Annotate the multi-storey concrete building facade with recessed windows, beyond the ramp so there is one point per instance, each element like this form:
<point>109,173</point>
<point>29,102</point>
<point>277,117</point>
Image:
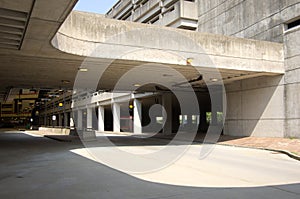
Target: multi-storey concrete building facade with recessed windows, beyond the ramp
<point>173,13</point>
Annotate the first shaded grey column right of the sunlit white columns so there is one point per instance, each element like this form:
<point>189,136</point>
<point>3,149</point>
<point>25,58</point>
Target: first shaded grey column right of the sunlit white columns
<point>167,114</point>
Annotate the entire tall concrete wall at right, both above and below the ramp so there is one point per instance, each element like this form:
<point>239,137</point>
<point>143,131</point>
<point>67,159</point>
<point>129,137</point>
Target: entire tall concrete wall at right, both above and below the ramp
<point>266,106</point>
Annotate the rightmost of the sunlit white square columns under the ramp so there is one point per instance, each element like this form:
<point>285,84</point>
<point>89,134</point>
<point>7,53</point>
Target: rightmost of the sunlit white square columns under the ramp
<point>137,116</point>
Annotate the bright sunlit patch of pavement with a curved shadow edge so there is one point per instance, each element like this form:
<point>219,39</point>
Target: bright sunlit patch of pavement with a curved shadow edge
<point>224,167</point>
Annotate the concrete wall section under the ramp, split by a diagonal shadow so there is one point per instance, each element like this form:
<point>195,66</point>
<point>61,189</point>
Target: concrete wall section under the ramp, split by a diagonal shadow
<point>255,107</point>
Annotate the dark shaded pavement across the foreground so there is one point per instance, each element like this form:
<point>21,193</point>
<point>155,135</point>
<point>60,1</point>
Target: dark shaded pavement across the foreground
<point>37,167</point>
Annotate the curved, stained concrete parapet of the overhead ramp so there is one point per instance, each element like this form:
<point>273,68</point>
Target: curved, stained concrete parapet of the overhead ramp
<point>127,43</point>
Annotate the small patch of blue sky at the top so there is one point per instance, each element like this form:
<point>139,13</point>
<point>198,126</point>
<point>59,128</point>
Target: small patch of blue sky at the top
<point>97,6</point>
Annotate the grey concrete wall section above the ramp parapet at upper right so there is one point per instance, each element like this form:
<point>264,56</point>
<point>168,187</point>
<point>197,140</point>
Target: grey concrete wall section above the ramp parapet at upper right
<point>256,19</point>
